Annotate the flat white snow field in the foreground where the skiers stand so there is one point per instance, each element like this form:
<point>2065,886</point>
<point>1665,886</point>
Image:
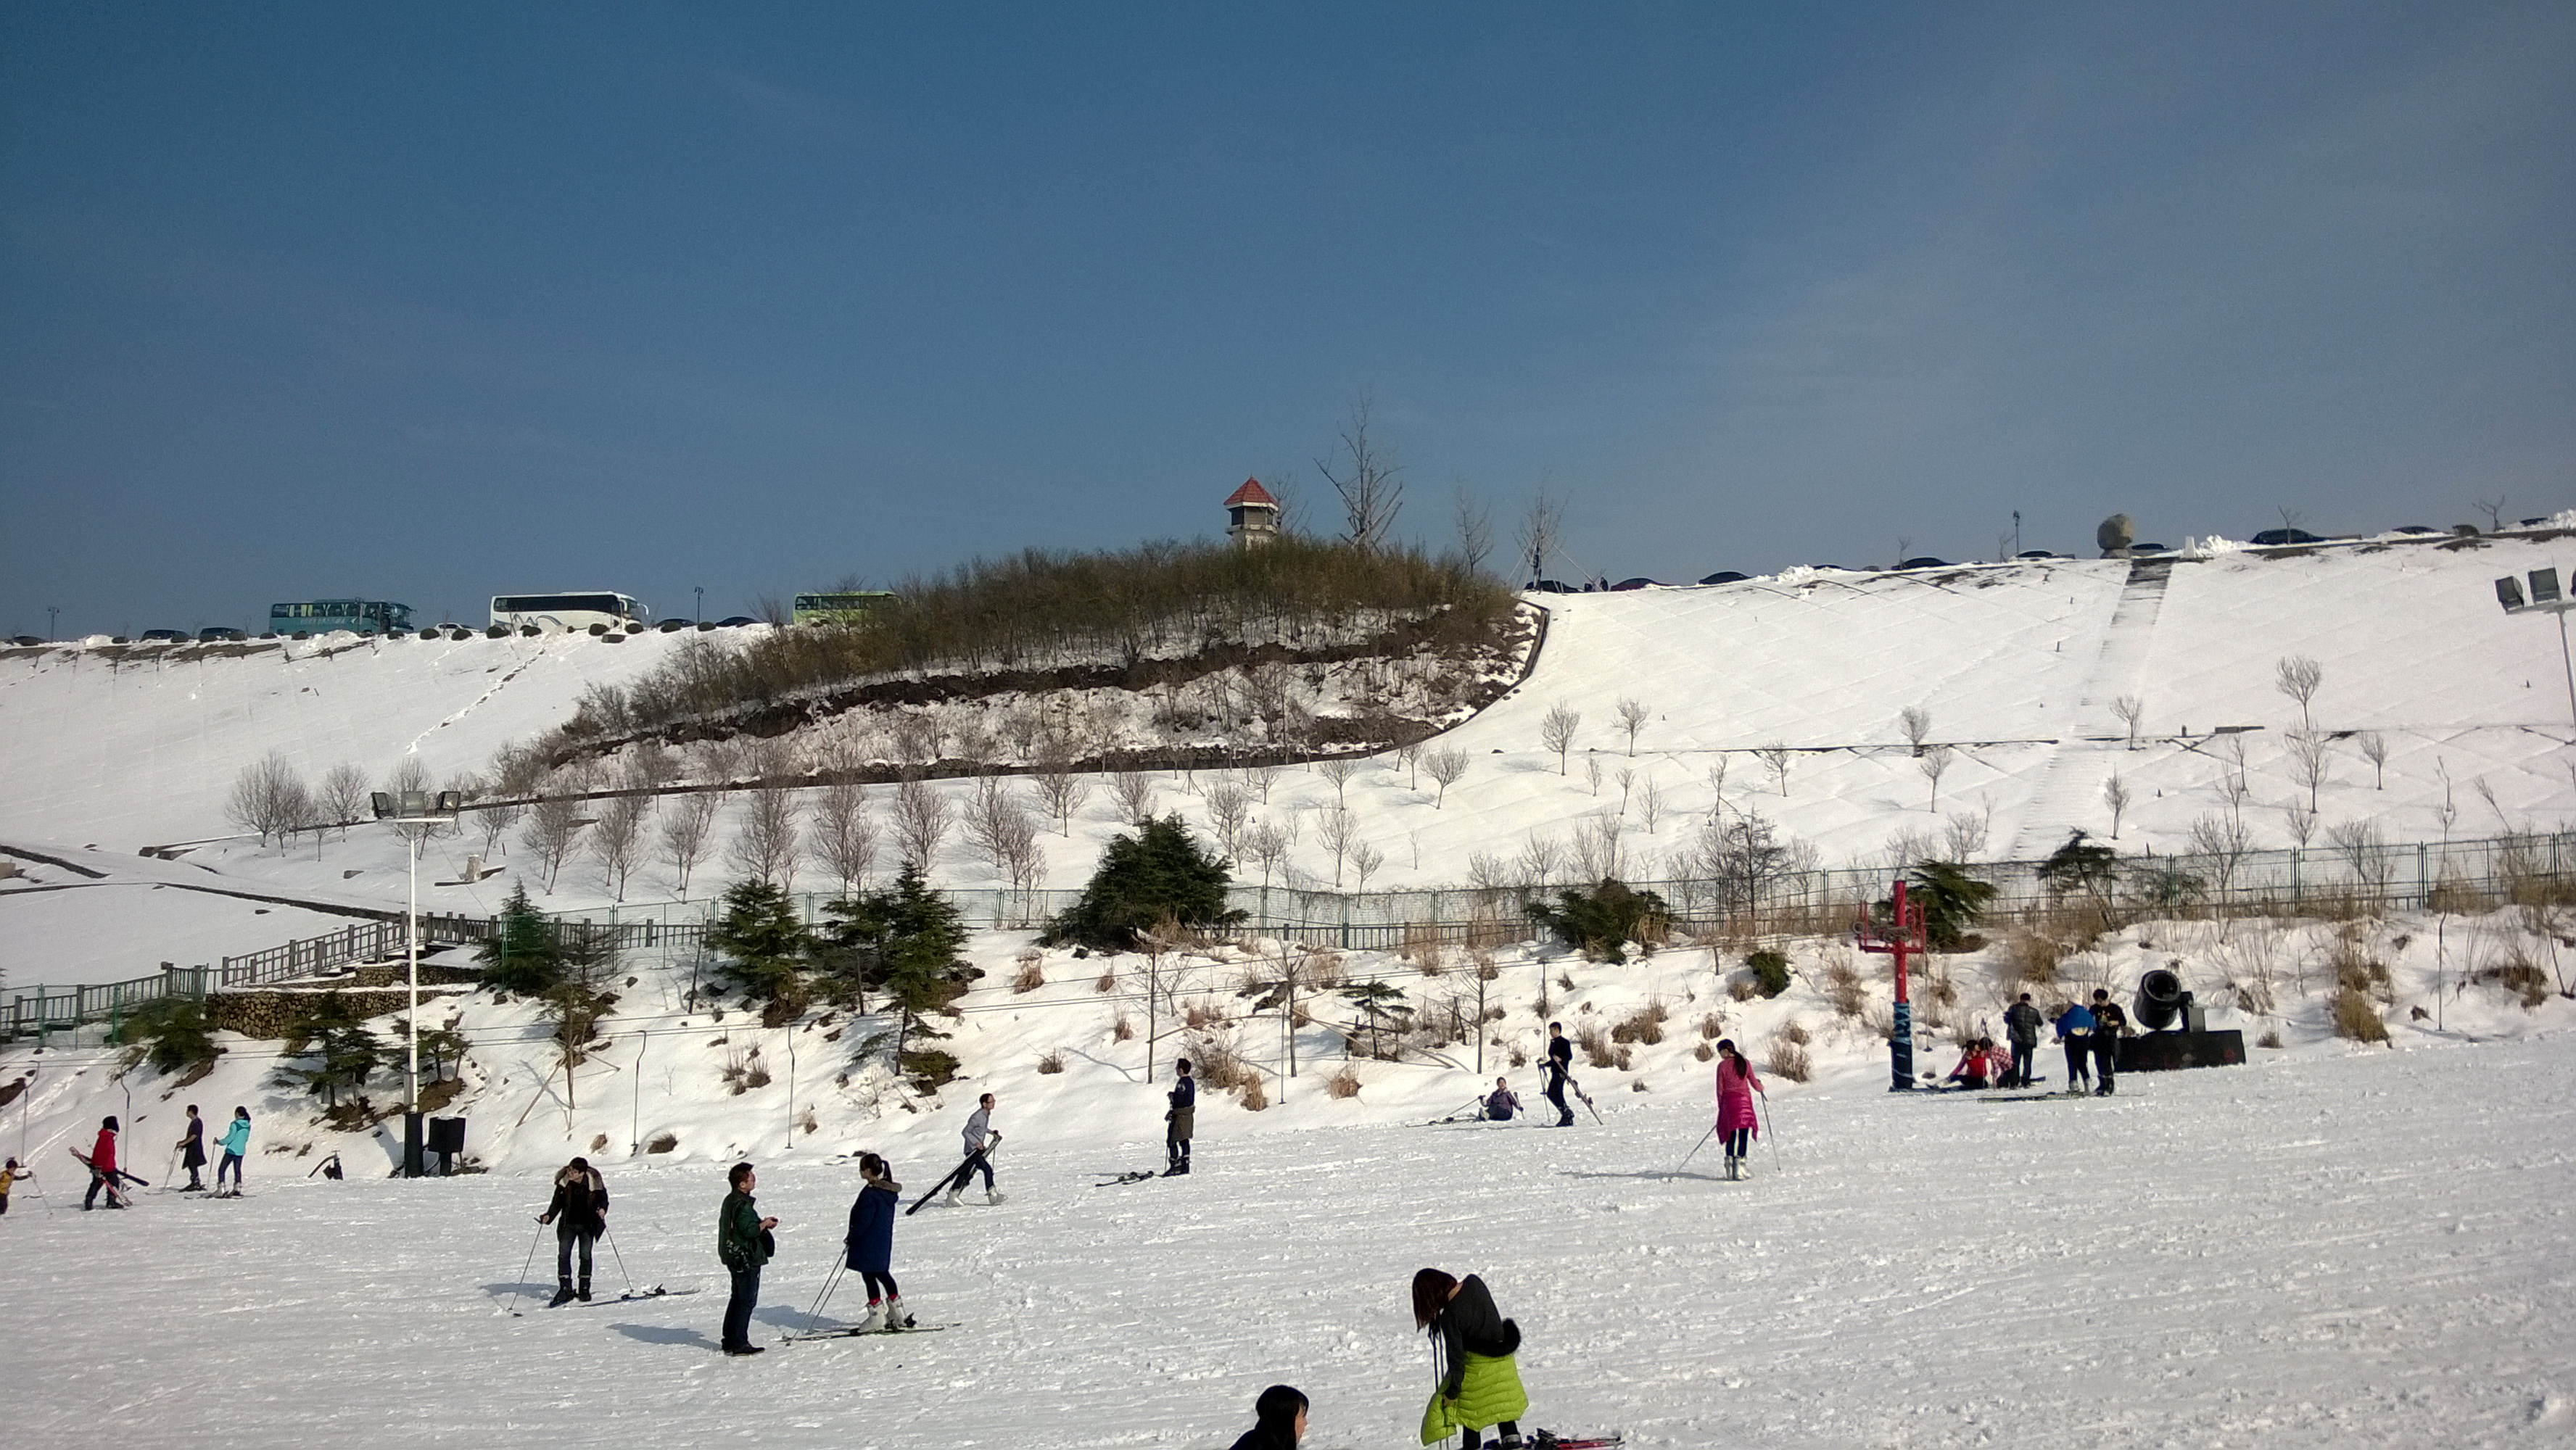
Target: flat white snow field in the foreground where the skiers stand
<point>2338,1248</point>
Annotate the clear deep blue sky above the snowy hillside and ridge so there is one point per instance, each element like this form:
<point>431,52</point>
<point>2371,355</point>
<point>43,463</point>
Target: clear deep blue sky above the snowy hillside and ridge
<point>465,300</point>
